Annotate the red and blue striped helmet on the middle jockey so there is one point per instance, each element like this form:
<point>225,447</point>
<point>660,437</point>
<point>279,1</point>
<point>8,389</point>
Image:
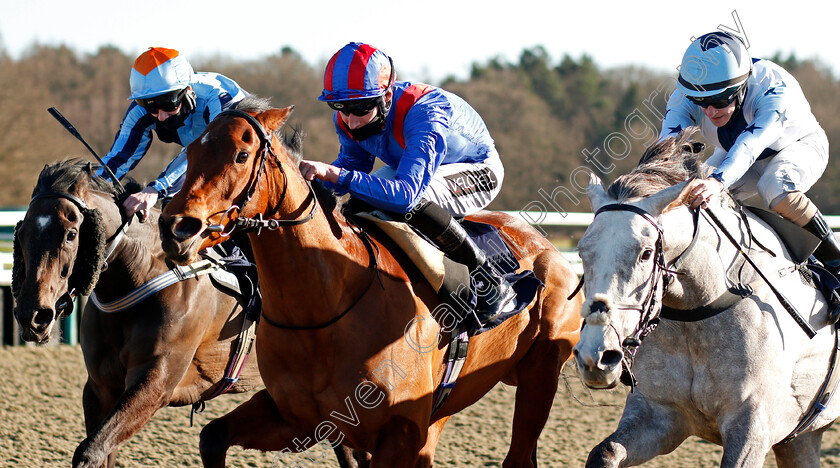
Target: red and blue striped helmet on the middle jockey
<point>357,71</point>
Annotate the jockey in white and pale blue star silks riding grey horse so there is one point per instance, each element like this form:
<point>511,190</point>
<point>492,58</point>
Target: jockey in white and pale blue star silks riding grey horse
<point>767,140</point>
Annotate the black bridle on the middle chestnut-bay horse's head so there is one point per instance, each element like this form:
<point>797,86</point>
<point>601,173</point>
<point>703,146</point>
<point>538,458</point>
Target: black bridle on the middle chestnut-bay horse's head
<point>258,223</point>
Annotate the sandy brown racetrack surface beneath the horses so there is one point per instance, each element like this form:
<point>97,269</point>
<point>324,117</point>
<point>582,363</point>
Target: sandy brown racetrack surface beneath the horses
<point>41,423</point>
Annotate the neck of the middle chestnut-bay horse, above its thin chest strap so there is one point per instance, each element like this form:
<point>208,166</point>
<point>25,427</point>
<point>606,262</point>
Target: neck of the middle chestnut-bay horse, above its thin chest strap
<point>322,256</point>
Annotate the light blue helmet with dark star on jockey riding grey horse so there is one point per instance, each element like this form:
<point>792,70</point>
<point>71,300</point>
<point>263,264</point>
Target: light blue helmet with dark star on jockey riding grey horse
<point>715,63</point>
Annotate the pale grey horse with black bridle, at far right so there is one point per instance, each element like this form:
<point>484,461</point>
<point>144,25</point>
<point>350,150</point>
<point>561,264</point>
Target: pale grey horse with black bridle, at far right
<point>726,363</point>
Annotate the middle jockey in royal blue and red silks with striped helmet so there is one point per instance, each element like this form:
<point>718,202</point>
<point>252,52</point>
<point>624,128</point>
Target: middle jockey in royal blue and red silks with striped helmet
<point>439,158</point>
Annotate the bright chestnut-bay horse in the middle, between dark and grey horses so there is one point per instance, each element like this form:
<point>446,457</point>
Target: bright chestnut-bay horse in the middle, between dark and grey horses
<point>348,350</point>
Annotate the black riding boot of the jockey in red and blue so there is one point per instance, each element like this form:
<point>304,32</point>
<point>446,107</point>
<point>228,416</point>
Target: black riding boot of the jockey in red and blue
<point>494,292</point>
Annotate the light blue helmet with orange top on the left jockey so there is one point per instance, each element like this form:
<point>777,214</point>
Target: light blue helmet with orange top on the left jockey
<point>158,71</point>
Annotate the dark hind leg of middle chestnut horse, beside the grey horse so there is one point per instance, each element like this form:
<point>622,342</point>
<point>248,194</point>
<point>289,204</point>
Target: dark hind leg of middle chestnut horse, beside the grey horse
<point>537,376</point>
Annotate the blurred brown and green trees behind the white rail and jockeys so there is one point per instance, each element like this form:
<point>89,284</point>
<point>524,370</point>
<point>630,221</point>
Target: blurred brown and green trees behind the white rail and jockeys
<point>550,118</point>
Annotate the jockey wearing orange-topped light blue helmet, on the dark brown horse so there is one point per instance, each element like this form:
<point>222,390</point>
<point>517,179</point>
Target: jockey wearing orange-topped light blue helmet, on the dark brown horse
<point>177,103</point>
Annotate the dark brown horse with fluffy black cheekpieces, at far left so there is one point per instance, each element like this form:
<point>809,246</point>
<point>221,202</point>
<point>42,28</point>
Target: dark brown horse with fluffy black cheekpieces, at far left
<point>169,349</point>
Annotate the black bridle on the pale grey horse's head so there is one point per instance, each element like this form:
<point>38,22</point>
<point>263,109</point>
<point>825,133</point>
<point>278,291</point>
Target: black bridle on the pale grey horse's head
<point>650,308</point>
